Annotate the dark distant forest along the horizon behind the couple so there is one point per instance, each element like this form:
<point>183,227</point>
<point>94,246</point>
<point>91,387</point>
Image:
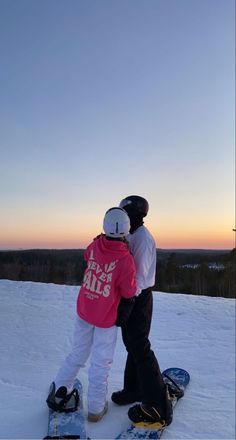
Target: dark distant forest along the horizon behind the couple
<point>198,272</point>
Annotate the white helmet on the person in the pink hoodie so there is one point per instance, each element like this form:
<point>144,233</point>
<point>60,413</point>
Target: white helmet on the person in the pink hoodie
<point>116,223</point>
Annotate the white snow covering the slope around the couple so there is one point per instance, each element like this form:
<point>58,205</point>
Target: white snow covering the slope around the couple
<point>192,332</point>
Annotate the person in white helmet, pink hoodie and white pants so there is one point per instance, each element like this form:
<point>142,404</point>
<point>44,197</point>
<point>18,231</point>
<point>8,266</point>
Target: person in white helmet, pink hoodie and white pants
<point>109,276</point>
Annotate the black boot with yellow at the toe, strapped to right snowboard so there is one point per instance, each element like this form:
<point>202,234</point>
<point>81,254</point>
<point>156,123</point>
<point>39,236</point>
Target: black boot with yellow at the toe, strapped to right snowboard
<point>152,417</point>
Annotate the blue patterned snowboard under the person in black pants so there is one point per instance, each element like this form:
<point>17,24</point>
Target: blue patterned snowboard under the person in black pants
<point>181,378</point>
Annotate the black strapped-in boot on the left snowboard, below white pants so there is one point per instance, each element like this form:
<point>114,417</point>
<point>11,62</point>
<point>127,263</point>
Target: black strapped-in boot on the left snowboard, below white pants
<point>61,401</point>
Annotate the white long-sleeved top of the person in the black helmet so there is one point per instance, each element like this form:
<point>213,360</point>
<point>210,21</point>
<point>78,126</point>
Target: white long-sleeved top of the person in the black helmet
<point>143,248</point>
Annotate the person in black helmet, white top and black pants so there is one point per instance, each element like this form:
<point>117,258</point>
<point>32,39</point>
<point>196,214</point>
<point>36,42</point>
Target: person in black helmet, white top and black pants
<point>143,381</point>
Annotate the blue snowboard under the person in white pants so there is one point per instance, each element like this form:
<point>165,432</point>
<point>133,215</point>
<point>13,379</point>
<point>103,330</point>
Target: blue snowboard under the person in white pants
<point>62,425</point>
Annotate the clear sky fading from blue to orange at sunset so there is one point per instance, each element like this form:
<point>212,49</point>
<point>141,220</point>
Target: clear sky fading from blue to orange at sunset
<point>103,99</point>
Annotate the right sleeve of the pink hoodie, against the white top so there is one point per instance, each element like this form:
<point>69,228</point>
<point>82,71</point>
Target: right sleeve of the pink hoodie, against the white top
<point>127,285</point>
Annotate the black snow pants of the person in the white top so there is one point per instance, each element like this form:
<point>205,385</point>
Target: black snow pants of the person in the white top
<point>142,373</point>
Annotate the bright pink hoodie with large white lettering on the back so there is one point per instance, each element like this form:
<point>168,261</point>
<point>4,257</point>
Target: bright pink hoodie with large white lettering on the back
<point>110,274</point>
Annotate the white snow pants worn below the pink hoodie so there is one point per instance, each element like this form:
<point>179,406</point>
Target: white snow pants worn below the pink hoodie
<point>100,343</point>
